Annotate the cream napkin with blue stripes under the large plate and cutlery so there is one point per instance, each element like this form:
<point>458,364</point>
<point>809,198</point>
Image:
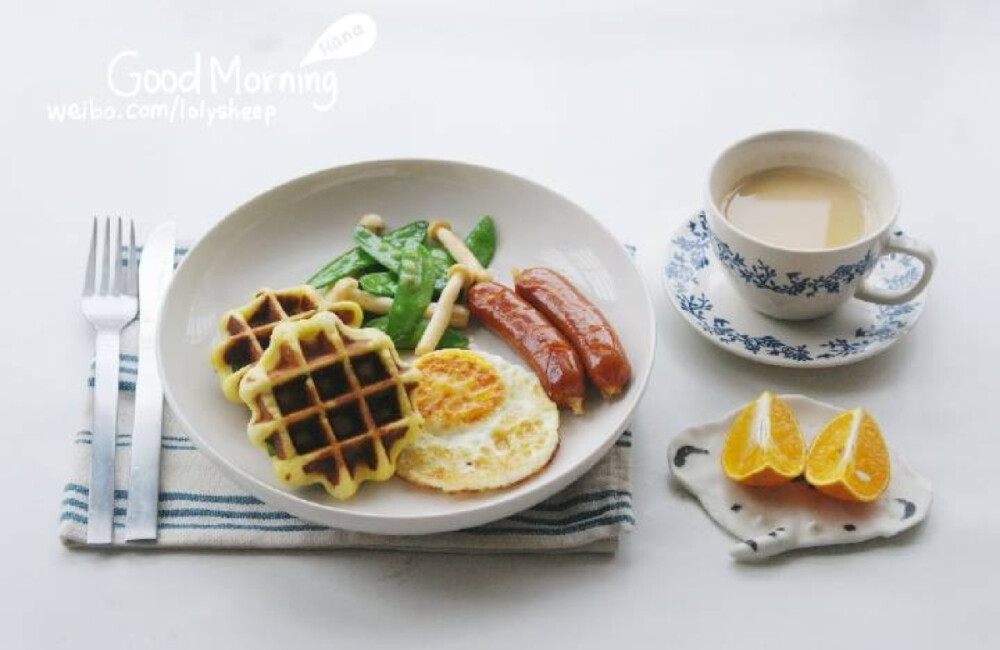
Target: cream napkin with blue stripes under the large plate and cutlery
<point>200,508</point>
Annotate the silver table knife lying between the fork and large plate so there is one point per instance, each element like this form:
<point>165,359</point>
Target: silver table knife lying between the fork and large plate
<point>156,266</point>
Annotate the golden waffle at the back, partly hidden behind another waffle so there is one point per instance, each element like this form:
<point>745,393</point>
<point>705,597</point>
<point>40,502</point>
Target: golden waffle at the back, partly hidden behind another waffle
<point>246,331</point>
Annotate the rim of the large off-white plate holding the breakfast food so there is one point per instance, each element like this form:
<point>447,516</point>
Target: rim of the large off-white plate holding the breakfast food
<point>412,524</point>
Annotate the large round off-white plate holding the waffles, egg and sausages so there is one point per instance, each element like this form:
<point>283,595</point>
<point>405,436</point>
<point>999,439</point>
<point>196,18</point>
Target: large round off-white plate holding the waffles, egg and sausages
<point>281,237</point>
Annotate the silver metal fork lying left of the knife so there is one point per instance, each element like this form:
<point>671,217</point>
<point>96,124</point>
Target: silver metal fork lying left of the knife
<point>109,308</point>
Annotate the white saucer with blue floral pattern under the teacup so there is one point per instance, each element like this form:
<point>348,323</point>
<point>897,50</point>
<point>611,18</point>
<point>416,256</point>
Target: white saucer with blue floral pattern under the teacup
<point>700,290</point>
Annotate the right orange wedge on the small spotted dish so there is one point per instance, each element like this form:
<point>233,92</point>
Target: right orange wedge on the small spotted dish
<point>849,460</point>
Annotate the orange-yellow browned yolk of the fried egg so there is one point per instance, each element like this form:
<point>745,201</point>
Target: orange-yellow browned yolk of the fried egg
<point>457,387</point>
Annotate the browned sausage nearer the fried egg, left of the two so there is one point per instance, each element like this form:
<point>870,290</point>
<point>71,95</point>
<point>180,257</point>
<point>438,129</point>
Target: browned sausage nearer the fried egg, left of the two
<point>537,341</point>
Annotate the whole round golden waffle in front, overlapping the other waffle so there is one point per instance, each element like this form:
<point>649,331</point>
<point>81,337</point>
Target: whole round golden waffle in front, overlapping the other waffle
<point>331,404</point>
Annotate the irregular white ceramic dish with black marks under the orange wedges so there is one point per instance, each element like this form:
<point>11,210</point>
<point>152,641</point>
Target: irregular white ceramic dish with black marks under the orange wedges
<point>773,520</point>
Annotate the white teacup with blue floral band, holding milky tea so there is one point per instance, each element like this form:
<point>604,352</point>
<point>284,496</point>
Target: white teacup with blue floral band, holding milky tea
<point>798,284</point>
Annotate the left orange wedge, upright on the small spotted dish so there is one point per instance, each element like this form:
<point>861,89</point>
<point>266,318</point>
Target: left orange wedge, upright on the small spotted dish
<point>765,444</point>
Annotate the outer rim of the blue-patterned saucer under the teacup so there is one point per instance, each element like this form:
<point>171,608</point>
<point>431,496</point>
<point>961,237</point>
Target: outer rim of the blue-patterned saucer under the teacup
<point>776,361</point>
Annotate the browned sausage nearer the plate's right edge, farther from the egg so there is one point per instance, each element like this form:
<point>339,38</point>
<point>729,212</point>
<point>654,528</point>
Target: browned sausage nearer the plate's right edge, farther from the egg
<point>583,325</point>
